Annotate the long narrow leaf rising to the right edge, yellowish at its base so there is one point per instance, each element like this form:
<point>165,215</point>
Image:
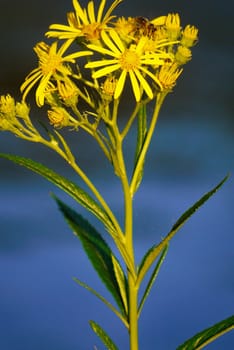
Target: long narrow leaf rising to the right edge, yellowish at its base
<point>154,252</point>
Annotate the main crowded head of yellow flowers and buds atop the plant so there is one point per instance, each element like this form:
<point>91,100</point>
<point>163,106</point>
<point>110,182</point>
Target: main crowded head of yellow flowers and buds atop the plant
<point>96,53</point>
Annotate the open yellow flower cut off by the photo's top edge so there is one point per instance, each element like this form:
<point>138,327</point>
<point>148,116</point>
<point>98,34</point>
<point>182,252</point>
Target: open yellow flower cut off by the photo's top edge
<point>83,22</point>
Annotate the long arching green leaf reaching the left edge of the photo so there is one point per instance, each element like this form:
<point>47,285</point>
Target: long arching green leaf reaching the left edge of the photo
<point>66,185</point>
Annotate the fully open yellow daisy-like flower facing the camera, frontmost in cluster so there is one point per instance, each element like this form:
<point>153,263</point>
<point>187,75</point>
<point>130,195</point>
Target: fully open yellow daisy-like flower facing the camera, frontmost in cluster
<point>131,61</point>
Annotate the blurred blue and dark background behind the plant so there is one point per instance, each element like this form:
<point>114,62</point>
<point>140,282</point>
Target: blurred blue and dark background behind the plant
<point>193,148</point>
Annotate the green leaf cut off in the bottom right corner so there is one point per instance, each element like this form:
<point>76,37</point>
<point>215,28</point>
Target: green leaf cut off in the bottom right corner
<point>205,337</point>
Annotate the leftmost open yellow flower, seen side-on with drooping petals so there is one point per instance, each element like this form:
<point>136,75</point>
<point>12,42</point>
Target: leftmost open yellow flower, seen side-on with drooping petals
<point>51,62</point>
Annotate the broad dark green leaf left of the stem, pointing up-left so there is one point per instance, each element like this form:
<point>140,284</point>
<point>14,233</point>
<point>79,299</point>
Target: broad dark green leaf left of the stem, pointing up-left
<point>96,249</point>
